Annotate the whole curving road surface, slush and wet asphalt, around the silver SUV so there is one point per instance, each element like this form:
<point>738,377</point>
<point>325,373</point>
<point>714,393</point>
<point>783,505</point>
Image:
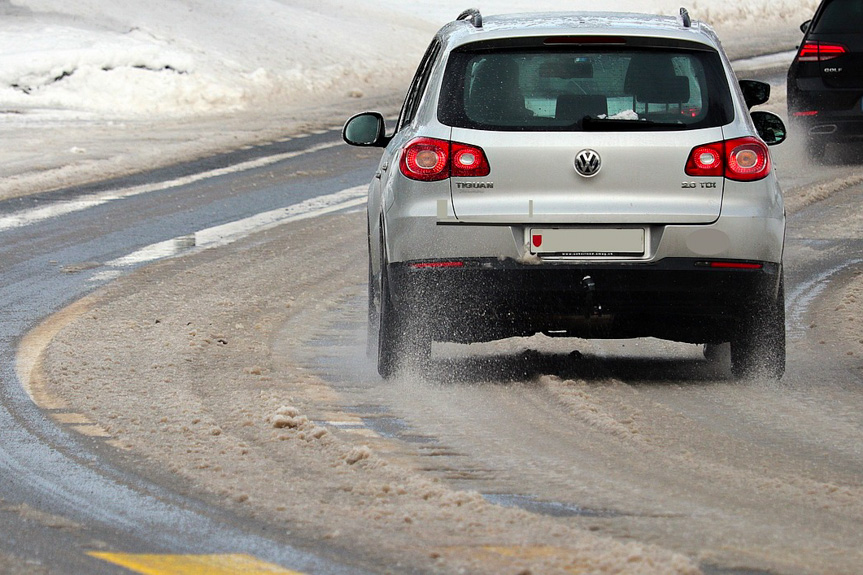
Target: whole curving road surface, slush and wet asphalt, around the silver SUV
<point>634,441</point>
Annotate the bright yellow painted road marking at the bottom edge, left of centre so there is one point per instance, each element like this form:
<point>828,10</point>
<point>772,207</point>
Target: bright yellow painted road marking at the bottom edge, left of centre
<point>193,564</point>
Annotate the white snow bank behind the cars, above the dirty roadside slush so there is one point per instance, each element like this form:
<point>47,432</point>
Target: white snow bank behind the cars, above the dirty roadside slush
<point>124,58</point>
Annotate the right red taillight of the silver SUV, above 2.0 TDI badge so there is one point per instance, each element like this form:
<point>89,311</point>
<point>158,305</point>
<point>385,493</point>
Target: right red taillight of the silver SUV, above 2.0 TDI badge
<point>743,160</point>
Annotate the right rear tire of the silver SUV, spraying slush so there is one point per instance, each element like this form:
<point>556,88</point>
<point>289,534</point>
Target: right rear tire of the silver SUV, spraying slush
<point>759,349</point>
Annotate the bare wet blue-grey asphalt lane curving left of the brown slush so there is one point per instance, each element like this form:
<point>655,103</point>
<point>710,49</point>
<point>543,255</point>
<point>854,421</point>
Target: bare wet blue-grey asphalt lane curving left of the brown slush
<point>58,499</point>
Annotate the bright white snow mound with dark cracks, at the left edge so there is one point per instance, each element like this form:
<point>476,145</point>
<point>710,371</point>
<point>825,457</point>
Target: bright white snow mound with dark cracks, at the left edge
<point>61,67</point>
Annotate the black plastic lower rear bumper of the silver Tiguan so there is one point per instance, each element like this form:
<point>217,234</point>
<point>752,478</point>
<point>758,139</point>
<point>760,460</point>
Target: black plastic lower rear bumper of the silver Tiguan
<point>676,299</point>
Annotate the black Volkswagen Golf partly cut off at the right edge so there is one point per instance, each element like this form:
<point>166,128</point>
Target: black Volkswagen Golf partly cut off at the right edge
<point>825,82</point>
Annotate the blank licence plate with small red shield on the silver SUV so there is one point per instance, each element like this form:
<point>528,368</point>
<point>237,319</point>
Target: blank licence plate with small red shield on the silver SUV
<point>569,242</point>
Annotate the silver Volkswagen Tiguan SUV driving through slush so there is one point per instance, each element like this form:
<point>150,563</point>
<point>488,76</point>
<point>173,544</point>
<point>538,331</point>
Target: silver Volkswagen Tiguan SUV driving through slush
<point>590,175</point>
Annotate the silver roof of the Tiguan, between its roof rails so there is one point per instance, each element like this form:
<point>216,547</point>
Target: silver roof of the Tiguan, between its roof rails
<point>464,31</point>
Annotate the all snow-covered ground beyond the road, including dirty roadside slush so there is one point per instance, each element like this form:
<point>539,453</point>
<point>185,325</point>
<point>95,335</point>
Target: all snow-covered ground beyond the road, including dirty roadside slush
<point>95,88</point>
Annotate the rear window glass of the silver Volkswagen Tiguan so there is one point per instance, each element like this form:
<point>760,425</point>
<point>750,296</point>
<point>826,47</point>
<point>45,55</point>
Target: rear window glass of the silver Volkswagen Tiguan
<point>573,88</point>
